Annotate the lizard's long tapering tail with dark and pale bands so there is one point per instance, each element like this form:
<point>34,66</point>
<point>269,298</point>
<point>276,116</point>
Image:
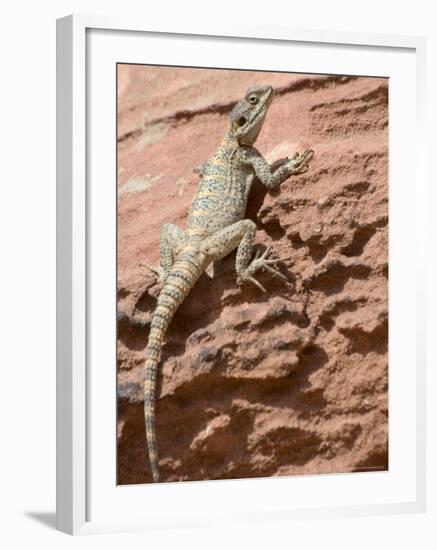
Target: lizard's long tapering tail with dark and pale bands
<point>183,275</point>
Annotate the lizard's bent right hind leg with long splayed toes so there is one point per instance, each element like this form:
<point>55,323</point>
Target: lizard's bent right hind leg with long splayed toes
<point>240,234</point>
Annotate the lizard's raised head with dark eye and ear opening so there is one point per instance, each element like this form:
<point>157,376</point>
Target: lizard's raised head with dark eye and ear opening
<point>247,117</point>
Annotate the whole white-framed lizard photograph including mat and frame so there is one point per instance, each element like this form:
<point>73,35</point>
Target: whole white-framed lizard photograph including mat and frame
<point>240,322</point>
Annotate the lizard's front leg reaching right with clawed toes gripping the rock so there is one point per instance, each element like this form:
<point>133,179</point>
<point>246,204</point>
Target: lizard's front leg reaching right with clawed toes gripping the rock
<point>297,165</point>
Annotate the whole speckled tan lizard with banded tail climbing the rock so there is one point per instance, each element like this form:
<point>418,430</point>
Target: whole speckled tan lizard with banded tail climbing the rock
<point>215,227</point>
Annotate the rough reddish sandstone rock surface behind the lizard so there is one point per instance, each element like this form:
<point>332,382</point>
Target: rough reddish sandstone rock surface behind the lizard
<point>250,385</point>
